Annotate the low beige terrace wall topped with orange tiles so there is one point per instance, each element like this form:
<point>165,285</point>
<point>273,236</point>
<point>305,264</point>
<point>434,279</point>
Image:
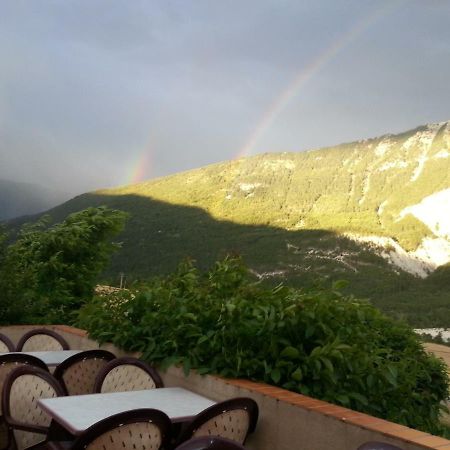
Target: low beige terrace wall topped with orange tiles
<point>287,420</point>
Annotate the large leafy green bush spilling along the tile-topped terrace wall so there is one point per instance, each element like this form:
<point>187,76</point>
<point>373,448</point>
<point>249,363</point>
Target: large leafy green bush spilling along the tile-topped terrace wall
<point>316,342</point>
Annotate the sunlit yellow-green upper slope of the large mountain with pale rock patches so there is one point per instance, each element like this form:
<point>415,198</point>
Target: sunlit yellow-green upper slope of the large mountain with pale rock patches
<point>392,223</point>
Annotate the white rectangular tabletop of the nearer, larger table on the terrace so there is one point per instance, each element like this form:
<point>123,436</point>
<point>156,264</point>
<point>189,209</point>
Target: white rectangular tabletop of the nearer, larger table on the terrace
<point>78,412</point>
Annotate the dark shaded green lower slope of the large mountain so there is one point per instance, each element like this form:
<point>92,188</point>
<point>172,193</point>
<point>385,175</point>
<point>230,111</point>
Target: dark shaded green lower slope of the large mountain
<point>159,235</point>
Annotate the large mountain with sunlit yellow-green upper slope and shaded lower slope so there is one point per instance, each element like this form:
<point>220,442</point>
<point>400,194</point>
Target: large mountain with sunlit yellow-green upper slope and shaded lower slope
<point>374,212</point>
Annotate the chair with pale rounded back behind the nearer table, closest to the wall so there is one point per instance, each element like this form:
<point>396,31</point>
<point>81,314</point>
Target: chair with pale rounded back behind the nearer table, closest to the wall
<point>127,374</point>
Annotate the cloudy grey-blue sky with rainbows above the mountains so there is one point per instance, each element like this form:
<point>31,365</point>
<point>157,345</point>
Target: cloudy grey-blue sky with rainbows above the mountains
<point>101,93</point>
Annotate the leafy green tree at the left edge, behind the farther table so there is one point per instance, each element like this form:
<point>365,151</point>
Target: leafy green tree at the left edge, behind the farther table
<point>47,273</point>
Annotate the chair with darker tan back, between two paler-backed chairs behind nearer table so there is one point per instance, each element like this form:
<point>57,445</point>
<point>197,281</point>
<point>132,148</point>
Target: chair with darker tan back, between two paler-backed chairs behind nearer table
<point>77,373</point>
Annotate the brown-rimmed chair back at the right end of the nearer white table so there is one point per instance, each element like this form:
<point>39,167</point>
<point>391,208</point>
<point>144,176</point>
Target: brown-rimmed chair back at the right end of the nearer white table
<point>232,419</point>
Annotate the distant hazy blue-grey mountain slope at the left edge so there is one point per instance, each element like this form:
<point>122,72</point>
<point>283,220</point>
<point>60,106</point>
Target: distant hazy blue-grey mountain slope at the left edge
<point>18,199</point>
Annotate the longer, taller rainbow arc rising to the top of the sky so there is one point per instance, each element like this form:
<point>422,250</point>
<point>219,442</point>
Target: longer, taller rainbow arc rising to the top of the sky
<point>306,73</point>
